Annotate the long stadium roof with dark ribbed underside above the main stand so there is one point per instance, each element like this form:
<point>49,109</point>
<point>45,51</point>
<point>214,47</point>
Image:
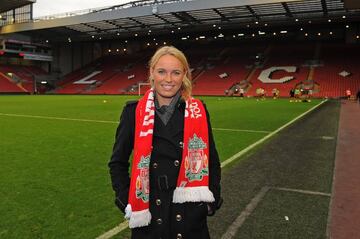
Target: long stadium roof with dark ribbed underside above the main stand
<point>157,17</point>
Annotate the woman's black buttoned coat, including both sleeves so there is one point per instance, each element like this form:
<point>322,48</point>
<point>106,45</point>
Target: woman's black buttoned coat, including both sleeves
<point>169,220</point>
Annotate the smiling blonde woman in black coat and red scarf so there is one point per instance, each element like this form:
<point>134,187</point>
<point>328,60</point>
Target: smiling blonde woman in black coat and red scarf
<point>175,174</point>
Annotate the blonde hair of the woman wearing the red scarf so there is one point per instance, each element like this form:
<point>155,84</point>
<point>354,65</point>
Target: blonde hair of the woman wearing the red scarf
<point>186,87</point>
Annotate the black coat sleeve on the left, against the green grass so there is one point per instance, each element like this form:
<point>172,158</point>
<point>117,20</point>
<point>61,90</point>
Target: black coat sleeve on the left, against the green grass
<point>119,163</point>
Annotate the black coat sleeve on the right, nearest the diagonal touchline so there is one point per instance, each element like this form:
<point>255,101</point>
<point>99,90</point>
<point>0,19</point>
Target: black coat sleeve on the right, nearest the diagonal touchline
<point>214,169</point>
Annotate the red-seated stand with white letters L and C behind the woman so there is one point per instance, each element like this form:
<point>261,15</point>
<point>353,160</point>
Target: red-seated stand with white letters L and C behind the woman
<point>217,71</point>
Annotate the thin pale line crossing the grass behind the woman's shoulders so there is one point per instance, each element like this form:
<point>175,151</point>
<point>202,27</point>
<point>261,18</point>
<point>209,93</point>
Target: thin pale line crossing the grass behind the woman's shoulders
<point>116,122</point>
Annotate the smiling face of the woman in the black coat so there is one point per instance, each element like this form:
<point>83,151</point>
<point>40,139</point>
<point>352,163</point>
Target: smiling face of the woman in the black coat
<point>168,74</point>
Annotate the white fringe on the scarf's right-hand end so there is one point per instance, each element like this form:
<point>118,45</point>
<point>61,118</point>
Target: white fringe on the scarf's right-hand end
<point>193,194</point>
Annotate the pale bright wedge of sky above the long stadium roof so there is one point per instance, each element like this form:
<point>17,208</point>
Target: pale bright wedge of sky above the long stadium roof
<point>49,7</point>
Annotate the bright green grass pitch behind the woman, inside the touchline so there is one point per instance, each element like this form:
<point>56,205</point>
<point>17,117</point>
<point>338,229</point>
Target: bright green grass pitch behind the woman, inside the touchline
<point>54,180</point>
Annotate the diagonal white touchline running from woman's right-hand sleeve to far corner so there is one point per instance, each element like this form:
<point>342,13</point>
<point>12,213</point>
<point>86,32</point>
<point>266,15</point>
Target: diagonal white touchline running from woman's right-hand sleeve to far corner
<point>242,152</point>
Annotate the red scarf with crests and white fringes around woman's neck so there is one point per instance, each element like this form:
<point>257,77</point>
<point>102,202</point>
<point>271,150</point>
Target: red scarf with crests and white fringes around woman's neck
<point>193,178</point>
